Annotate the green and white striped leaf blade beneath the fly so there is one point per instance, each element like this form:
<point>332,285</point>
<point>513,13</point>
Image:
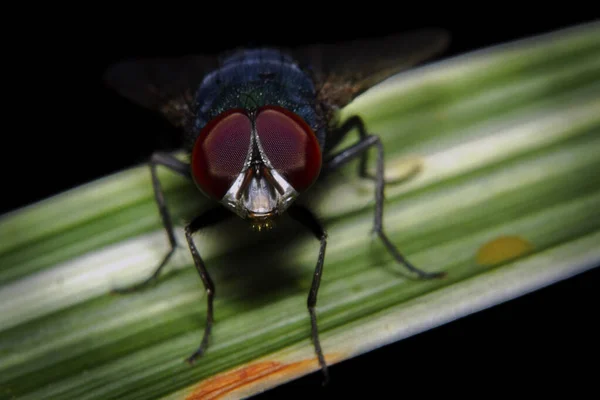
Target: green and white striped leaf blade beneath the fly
<point>494,158</point>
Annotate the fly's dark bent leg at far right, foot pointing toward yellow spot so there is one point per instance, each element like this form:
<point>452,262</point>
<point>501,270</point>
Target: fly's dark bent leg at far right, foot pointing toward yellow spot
<point>365,142</point>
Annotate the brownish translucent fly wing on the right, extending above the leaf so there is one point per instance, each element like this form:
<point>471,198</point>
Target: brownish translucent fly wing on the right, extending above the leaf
<point>344,70</point>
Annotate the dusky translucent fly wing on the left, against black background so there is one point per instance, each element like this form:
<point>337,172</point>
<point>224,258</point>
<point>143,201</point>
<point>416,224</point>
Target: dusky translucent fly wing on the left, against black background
<point>165,85</point>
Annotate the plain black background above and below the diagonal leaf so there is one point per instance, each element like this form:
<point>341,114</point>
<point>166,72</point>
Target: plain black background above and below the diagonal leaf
<point>65,128</point>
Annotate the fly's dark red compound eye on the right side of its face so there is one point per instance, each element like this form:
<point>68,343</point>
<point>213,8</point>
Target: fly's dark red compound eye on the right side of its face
<point>290,145</point>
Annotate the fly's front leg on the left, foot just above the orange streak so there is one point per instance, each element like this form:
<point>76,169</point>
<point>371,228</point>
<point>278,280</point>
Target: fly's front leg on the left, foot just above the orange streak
<point>210,217</point>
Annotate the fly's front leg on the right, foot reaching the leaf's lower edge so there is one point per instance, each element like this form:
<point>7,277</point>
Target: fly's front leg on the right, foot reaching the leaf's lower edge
<point>310,221</point>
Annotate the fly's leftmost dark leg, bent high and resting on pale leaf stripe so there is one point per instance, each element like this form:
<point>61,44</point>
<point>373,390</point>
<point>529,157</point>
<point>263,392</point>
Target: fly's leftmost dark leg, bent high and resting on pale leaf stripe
<point>180,168</point>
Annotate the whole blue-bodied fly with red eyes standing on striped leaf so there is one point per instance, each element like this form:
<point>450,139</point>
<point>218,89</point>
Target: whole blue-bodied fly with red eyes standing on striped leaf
<point>260,127</point>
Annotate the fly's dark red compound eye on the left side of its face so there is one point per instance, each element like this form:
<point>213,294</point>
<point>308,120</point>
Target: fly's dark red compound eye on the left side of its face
<point>220,151</point>
